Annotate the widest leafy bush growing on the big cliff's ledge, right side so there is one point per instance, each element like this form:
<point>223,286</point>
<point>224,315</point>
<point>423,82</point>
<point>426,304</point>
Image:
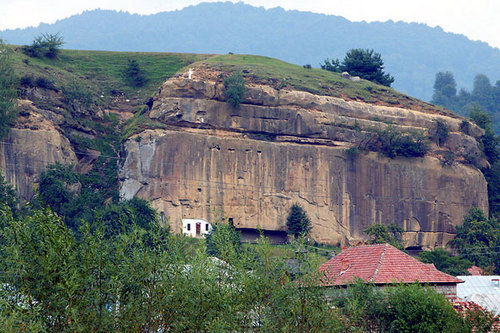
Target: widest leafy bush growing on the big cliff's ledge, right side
<point>394,143</point>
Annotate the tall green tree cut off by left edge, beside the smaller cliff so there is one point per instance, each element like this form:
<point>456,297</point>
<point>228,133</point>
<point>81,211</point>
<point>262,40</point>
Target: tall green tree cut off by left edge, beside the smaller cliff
<point>8,92</point>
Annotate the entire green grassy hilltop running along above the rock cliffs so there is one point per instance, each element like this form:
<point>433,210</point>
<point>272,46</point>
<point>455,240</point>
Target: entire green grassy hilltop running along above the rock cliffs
<point>103,74</point>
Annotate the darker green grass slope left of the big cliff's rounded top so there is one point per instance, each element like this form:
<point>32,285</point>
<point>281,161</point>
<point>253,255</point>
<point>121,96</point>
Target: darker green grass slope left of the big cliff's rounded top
<point>103,71</point>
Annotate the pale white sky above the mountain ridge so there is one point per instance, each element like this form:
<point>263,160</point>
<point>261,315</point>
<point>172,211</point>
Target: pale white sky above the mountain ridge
<point>476,19</point>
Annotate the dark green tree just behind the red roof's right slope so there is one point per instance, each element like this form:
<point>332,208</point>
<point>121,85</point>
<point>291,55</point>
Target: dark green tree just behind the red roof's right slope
<point>444,261</point>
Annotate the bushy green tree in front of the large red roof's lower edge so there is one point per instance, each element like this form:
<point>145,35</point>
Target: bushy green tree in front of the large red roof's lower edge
<point>397,308</point>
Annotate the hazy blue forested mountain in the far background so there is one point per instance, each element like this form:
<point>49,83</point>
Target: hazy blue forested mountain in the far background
<point>413,53</point>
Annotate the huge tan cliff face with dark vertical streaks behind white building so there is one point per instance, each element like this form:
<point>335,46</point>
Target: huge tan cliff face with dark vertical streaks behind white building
<point>282,147</point>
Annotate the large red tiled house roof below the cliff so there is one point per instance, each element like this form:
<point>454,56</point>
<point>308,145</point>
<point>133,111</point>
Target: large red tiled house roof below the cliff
<point>380,264</point>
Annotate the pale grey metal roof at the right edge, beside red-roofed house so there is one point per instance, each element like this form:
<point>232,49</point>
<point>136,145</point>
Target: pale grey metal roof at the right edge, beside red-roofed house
<point>483,290</point>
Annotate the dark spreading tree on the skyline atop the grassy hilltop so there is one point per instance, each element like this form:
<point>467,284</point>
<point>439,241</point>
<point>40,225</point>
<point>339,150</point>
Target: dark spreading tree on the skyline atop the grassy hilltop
<point>365,63</point>
